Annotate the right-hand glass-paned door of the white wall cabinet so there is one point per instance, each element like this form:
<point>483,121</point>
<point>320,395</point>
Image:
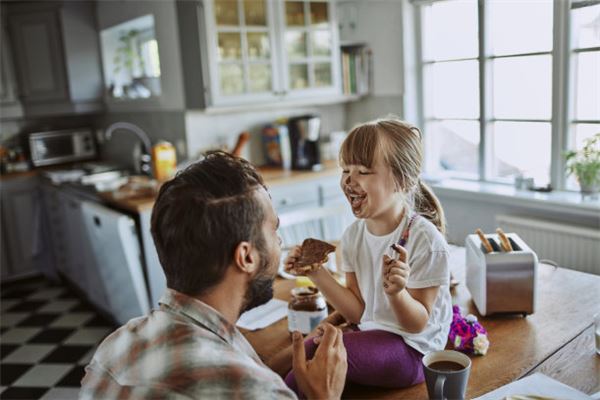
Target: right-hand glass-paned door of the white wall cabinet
<point>309,45</point>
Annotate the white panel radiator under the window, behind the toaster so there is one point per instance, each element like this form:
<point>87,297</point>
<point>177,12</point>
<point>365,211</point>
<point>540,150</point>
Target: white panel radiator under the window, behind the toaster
<point>569,246</point>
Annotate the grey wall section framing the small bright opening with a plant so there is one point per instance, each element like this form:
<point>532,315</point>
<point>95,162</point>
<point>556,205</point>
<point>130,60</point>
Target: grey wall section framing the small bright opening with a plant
<point>140,48</point>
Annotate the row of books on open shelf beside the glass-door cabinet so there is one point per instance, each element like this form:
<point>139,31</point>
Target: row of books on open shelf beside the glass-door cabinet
<point>356,70</point>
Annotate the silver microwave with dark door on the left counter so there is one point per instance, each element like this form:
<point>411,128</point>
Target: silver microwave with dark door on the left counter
<point>57,147</point>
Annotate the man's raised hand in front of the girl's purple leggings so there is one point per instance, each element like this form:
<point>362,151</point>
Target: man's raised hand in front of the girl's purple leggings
<point>324,376</point>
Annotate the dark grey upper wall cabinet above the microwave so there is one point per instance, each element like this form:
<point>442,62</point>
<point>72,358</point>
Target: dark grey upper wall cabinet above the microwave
<point>56,55</point>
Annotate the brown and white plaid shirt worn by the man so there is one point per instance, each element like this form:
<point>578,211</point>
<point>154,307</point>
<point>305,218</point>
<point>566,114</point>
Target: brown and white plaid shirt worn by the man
<point>186,349</point>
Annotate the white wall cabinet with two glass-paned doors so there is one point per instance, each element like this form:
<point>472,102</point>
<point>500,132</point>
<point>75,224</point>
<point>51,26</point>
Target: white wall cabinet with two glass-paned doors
<point>258,51</point>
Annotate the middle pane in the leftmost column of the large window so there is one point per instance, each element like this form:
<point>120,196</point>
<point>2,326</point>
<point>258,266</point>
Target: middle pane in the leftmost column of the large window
<point>454,89</point>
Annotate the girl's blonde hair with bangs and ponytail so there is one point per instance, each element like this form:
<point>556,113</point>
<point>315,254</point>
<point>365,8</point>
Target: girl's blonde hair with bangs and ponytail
<point>399,143</point>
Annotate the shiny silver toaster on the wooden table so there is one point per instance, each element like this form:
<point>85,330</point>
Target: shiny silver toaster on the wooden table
<point>499,281</point>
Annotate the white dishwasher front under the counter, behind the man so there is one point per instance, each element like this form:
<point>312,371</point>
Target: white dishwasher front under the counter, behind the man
<point>117,252</point>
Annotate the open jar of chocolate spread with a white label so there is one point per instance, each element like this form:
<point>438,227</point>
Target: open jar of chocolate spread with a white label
<point>306,309</point>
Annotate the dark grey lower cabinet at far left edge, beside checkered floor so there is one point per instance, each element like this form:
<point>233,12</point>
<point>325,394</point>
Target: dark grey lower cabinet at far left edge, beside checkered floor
<point>23,241</point>
